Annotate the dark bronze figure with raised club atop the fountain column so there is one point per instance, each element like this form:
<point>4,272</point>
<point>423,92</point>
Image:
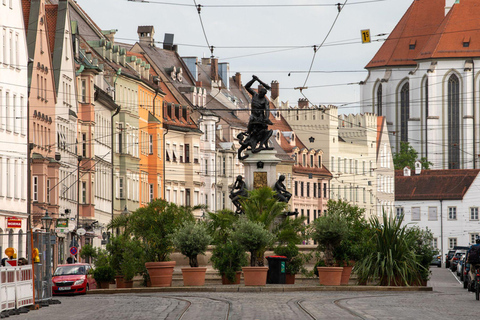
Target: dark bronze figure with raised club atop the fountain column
<point>257,136</point>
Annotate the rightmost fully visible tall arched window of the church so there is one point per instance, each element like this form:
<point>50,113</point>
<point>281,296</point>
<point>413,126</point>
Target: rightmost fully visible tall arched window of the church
<point>453,122</point>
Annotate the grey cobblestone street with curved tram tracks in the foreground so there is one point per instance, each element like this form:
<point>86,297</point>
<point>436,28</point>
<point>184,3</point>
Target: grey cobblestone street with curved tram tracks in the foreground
<point>448,300</point>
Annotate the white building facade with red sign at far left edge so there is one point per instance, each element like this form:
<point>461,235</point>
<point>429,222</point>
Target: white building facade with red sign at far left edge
<point>13,128</point>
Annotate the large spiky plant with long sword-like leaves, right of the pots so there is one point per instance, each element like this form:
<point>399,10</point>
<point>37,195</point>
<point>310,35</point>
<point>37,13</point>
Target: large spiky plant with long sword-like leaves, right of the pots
<point>391,260</point>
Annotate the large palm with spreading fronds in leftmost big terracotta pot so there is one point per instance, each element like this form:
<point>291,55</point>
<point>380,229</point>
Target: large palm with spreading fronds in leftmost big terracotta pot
<point>154,225</point>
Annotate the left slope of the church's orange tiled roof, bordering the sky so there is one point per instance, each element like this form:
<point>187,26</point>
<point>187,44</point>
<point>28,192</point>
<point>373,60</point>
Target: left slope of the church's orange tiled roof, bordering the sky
<point>410,34</point>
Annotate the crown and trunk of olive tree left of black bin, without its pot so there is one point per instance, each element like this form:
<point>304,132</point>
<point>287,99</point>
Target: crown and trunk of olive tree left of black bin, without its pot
<point>253,237</point>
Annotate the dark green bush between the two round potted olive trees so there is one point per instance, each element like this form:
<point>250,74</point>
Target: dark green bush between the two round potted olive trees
<point>229,258</point>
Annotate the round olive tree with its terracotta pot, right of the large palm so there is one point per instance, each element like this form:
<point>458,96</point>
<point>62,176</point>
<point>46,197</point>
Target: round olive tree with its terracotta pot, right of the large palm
<point>192,239</point>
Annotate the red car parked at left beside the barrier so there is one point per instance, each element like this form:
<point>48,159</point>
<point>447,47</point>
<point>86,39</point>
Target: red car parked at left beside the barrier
<point>72,279</point>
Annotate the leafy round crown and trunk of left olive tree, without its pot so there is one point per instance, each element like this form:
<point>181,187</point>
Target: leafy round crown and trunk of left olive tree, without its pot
<point>192,239</point>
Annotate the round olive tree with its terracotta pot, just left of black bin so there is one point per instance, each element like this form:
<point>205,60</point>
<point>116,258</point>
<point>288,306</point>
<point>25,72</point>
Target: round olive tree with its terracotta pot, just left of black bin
<point>254,238</point>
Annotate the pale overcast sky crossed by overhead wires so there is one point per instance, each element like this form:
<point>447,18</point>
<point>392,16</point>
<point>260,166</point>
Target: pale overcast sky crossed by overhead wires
<point>272,39</point>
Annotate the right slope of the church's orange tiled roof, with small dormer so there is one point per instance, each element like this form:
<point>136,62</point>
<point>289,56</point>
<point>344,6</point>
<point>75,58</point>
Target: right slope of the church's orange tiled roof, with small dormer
<point>460,25</point>
